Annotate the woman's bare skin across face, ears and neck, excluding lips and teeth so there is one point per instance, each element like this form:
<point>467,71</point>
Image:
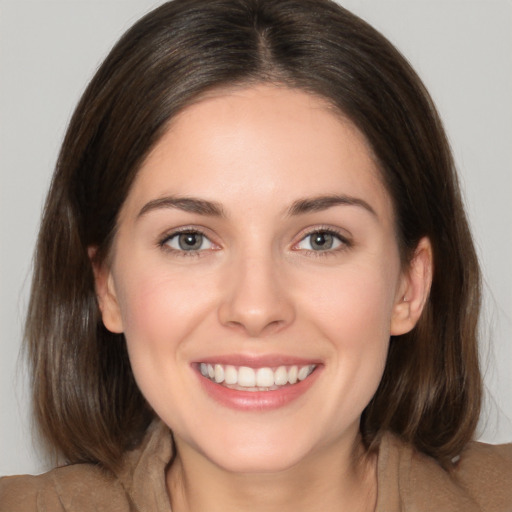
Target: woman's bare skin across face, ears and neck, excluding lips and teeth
<point>258,287</point>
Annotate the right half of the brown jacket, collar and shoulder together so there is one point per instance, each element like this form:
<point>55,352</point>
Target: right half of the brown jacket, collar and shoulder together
<point>479,481</point>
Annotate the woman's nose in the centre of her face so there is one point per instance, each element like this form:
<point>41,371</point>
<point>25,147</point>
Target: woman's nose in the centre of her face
<point>255,299</point>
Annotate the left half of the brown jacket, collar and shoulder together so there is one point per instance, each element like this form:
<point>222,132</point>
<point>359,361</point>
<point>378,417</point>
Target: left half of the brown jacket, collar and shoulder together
<point>138,484</point>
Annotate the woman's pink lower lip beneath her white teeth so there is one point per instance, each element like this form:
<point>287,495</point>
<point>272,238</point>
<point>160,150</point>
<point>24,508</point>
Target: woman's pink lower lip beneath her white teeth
<point>257,400</point>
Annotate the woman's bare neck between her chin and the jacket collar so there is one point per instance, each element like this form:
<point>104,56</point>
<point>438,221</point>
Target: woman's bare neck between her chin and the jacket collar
<point>331,480</point>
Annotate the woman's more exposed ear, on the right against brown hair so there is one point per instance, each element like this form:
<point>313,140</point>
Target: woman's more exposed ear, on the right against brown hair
<point>414,289</point>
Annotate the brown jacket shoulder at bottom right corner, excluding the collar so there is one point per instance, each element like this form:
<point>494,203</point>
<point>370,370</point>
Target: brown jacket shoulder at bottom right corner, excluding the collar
<point>485,471</point>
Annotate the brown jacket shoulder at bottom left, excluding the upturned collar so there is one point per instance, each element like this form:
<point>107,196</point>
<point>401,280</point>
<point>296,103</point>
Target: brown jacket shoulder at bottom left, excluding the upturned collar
<point>83,487</point>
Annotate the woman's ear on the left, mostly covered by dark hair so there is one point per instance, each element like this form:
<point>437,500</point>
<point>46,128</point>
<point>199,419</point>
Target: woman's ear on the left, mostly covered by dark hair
<point>106,293</point>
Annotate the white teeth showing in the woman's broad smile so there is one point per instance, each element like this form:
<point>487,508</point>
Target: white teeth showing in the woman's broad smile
<point>244,378</point>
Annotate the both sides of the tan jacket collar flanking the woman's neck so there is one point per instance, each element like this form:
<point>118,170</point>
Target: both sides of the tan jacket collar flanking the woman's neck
<point>407,480</point>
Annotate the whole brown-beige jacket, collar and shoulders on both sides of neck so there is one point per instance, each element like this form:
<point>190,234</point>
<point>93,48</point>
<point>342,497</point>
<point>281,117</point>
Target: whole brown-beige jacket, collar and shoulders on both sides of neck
<point>407,482</point>
